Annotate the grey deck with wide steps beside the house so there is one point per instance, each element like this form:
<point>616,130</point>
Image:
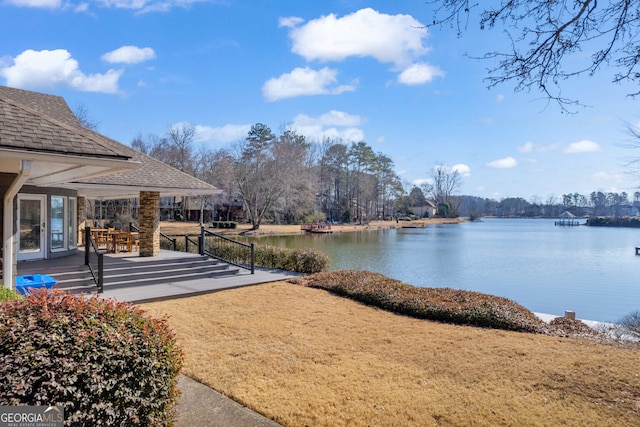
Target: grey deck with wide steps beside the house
<point>131,278</point>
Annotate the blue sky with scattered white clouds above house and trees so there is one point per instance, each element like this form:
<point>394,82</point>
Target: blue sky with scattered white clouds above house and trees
<point>360,71</point>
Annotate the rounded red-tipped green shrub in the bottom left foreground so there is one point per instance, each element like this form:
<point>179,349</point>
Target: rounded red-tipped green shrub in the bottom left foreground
<point>106,363</point>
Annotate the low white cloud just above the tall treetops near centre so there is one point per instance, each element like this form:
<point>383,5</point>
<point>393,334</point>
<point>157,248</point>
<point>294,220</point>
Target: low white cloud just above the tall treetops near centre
<point>334,125</point>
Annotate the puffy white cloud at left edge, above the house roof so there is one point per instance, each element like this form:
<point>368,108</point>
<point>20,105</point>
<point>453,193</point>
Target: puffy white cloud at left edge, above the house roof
<point>52,68</point>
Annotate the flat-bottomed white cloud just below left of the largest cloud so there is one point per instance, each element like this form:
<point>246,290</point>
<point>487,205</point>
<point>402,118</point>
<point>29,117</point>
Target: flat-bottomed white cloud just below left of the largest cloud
<point>303,81</point>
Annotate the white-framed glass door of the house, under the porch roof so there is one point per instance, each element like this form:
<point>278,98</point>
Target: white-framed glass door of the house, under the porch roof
<point>31,226</point>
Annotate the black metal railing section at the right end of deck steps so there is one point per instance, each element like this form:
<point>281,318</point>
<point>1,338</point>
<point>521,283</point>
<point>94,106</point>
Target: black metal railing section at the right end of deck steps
<point>228,250</point>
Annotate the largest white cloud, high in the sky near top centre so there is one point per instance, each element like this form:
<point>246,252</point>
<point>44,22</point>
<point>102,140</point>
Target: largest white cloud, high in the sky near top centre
<point>395,39</point>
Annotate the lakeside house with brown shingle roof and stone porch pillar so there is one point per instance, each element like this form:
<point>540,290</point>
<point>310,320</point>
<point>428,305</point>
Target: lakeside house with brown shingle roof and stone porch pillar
<point>50,166</point>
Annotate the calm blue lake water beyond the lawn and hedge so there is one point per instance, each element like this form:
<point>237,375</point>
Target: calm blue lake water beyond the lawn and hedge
<point>591,270</point>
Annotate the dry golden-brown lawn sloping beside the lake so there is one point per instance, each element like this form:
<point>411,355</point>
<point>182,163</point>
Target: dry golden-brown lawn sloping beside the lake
<point>305,357</point>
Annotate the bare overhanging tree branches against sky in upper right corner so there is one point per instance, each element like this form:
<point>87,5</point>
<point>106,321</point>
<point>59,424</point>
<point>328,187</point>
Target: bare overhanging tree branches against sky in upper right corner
<point>544,36</point>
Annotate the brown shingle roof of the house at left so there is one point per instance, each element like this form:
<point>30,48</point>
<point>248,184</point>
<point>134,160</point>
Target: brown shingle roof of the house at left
<point>44,123</point>
